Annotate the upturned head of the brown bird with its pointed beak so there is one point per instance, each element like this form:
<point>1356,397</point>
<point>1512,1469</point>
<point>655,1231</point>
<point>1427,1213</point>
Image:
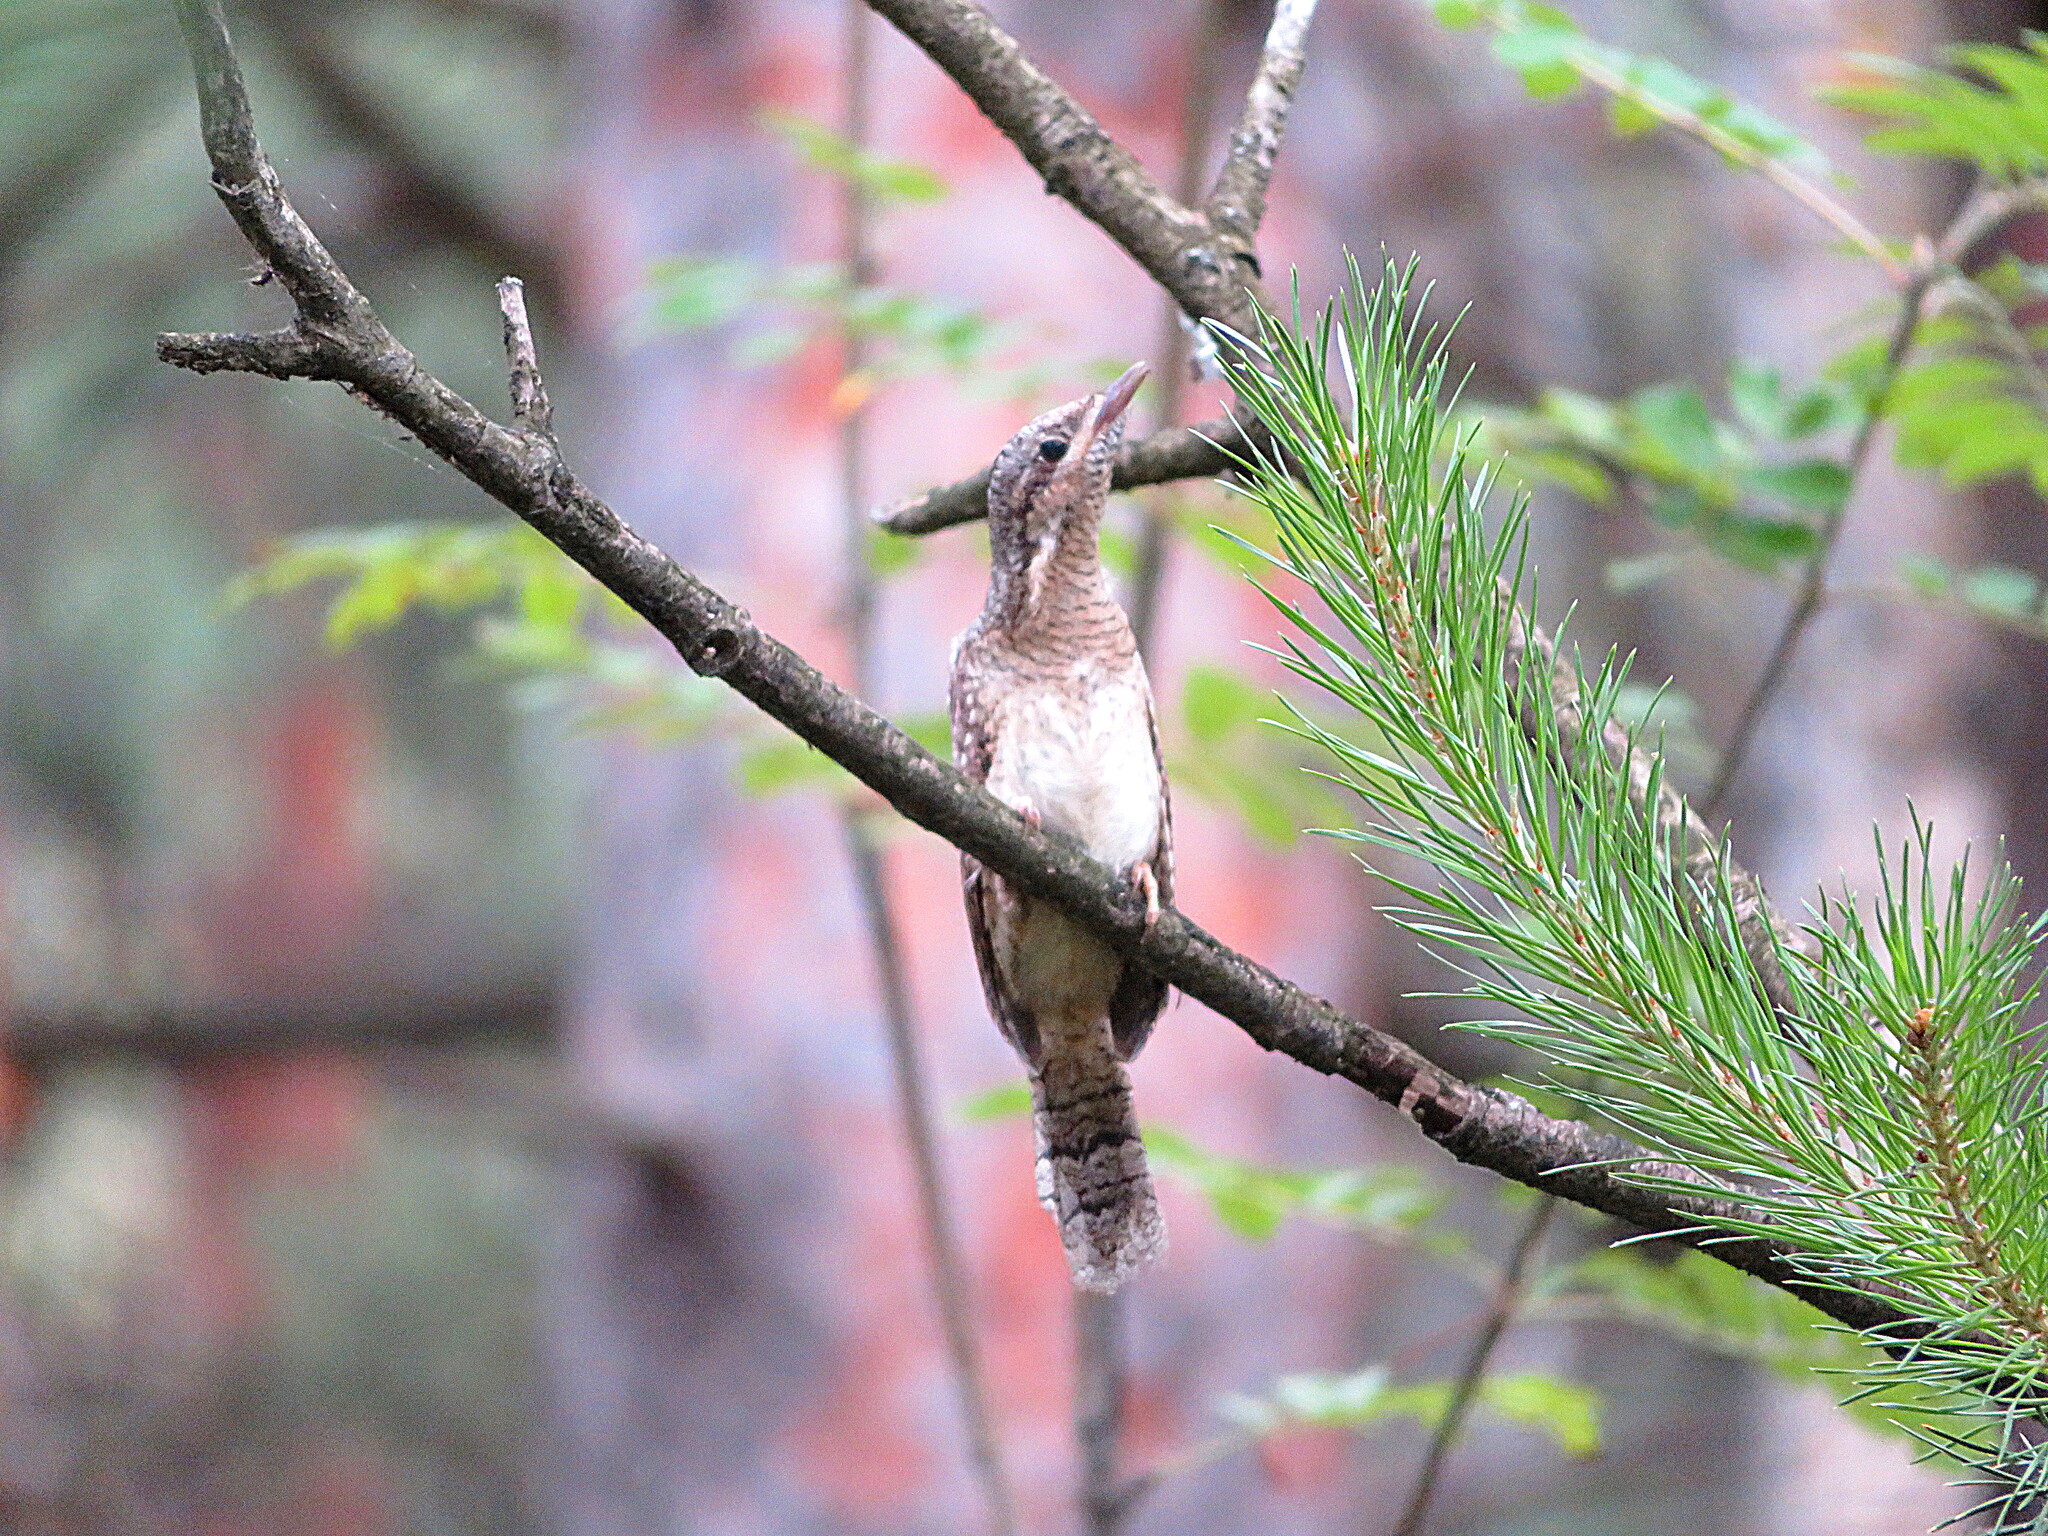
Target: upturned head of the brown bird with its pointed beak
<point>1054,478</point>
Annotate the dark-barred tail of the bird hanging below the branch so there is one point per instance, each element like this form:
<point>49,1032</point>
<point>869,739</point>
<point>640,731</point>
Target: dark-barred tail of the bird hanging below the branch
<point>1093,1166</point>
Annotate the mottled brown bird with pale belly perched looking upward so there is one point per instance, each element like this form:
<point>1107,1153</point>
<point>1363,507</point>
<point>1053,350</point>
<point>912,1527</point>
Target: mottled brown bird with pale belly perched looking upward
<point>1054,716</point>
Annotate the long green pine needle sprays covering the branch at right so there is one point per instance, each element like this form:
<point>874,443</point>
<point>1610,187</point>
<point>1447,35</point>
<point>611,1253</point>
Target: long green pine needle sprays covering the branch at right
<point>1885,1121</point>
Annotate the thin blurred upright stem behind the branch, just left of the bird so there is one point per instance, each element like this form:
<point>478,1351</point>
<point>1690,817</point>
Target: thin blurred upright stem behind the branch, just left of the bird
<point>906,1056</point>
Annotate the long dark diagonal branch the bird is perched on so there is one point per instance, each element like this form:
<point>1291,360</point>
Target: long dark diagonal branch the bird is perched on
<point>335,335</point>
